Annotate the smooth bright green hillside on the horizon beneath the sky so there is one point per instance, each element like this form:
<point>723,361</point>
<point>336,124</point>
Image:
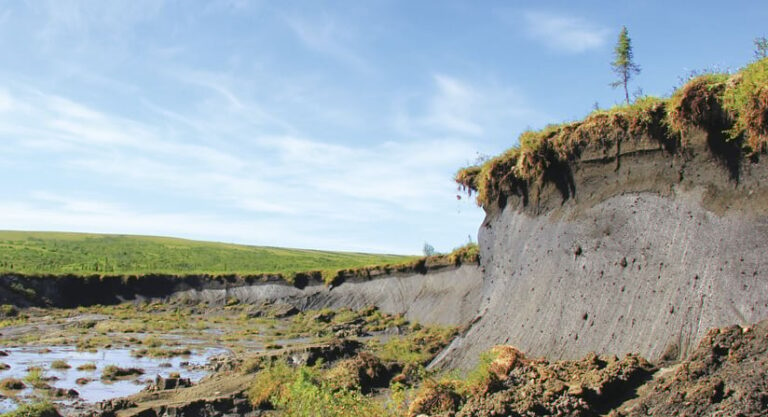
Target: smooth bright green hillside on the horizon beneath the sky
<point>86,254</point>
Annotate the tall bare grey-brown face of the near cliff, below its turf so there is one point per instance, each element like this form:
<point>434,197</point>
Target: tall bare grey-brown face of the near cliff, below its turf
<point>632,249</point>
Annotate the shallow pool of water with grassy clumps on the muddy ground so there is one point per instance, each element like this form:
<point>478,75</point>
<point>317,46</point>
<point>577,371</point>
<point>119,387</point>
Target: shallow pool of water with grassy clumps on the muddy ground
<point>20,359</point>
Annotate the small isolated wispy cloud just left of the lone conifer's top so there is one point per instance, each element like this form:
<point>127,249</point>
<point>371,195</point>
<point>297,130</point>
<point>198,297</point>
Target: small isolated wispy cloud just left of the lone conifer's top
<point>564,33</point>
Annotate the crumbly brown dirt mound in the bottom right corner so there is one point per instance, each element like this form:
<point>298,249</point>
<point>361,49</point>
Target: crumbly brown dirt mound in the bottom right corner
<point>725,375</point>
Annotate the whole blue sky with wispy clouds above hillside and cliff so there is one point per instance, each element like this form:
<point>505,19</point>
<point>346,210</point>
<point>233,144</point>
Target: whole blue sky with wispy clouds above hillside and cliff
<point>332,125</point>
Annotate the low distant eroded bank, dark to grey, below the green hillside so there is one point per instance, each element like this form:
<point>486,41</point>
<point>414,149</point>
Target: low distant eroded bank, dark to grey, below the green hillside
<point>440,295</point>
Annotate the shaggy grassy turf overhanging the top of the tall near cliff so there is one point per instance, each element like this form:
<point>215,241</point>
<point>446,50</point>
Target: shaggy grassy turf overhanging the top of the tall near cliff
<point>737,104</point>
